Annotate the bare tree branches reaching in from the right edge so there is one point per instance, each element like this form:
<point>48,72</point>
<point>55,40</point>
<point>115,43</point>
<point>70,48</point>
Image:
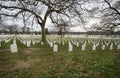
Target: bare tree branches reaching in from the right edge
<point>109,13</point>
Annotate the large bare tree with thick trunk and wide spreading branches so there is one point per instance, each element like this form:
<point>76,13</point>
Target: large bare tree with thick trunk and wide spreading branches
<point>40,10</point>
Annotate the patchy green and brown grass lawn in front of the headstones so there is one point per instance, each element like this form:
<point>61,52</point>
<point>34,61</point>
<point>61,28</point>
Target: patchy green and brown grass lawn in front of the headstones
<point>40,61</point>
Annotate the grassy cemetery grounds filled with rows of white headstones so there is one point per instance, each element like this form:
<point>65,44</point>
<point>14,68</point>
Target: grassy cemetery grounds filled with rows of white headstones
<point>74,57</point>
